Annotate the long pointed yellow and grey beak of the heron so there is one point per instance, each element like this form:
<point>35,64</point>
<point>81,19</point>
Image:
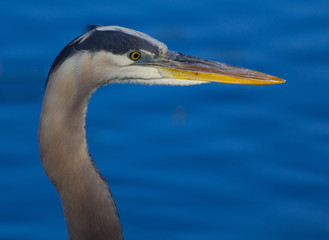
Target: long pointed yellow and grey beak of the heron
<point>179,66</point>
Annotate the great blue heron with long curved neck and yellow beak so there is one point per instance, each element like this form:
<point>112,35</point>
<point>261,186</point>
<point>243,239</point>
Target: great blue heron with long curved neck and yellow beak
<point>105,55</point>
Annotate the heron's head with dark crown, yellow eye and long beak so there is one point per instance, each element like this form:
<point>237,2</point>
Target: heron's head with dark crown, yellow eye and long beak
<point>112,54</point>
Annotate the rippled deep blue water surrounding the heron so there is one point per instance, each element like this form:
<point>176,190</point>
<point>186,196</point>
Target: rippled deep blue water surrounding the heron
<point>213,161</point>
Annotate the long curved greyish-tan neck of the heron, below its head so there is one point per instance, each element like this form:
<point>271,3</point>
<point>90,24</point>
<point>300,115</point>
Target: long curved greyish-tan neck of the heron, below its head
<point>89,209</point>
